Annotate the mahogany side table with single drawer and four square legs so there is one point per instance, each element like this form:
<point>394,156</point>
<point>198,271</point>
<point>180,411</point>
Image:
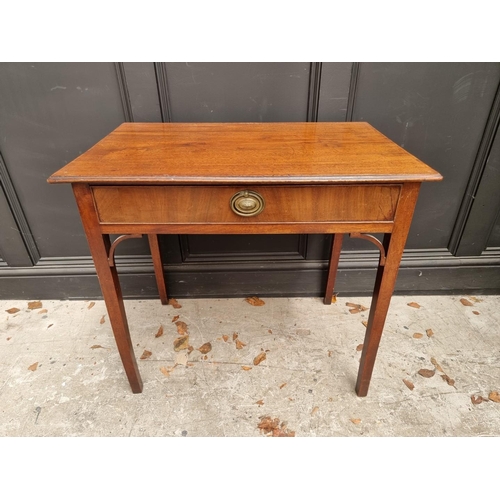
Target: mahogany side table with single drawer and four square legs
<point>235,178</point>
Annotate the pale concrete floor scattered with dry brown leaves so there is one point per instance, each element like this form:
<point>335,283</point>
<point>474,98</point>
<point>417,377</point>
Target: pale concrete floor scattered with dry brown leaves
<point>78,387</point>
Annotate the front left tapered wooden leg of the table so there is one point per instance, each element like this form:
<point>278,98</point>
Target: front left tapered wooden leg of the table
<point>108,278</point>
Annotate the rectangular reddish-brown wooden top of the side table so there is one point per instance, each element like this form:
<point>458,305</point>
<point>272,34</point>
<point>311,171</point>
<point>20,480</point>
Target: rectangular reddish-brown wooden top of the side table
<point>245,153</point>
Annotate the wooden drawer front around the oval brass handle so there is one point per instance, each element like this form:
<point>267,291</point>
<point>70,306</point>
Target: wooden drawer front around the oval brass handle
<point>212,204</point>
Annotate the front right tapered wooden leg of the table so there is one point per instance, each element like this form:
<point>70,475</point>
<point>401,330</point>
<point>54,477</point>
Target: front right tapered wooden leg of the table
<point>385,281</point>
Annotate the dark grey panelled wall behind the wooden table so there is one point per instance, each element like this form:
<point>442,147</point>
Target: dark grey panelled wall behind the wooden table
<point>446,114</point>
